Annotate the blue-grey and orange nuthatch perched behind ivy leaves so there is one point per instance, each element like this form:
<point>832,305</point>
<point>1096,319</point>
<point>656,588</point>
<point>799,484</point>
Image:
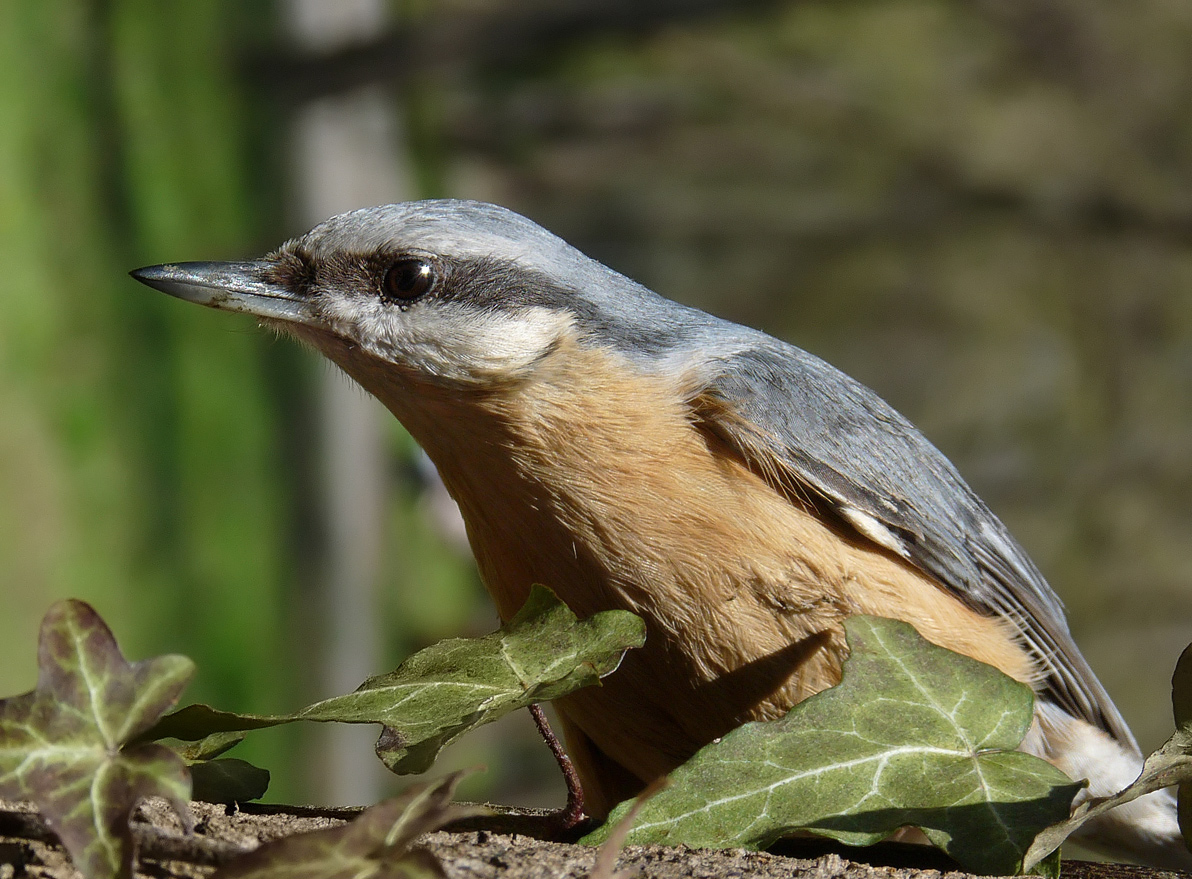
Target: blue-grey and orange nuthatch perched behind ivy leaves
<point>740,494</point>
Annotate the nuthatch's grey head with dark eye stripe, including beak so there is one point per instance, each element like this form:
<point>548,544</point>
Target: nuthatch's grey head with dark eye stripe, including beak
<point>454,293</point>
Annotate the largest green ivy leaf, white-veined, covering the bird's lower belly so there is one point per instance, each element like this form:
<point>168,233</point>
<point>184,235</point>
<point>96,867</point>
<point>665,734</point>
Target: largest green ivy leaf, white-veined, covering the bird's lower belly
<point>912,736</point>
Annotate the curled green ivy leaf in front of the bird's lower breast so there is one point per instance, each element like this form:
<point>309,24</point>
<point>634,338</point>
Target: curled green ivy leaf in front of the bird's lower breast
<point>455,686</point>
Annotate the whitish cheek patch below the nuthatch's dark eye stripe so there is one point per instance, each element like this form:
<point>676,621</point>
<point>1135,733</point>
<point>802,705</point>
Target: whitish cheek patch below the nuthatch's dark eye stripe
<point>452,342</point>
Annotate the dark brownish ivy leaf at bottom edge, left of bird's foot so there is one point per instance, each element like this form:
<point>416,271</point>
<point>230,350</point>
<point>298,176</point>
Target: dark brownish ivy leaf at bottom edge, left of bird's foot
<point>378,844</point>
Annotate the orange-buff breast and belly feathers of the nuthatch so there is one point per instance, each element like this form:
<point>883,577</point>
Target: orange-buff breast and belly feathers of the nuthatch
<point>603,486</point>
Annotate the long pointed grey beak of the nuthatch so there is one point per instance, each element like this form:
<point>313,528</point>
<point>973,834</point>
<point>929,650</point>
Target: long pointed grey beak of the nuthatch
<point>233,287</point>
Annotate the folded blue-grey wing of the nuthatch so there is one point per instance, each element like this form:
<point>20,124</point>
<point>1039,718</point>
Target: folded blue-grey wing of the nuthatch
<point>812,431</point>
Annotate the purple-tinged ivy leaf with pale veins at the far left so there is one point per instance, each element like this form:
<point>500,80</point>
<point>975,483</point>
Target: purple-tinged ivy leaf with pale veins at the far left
<point>66,746</point>
